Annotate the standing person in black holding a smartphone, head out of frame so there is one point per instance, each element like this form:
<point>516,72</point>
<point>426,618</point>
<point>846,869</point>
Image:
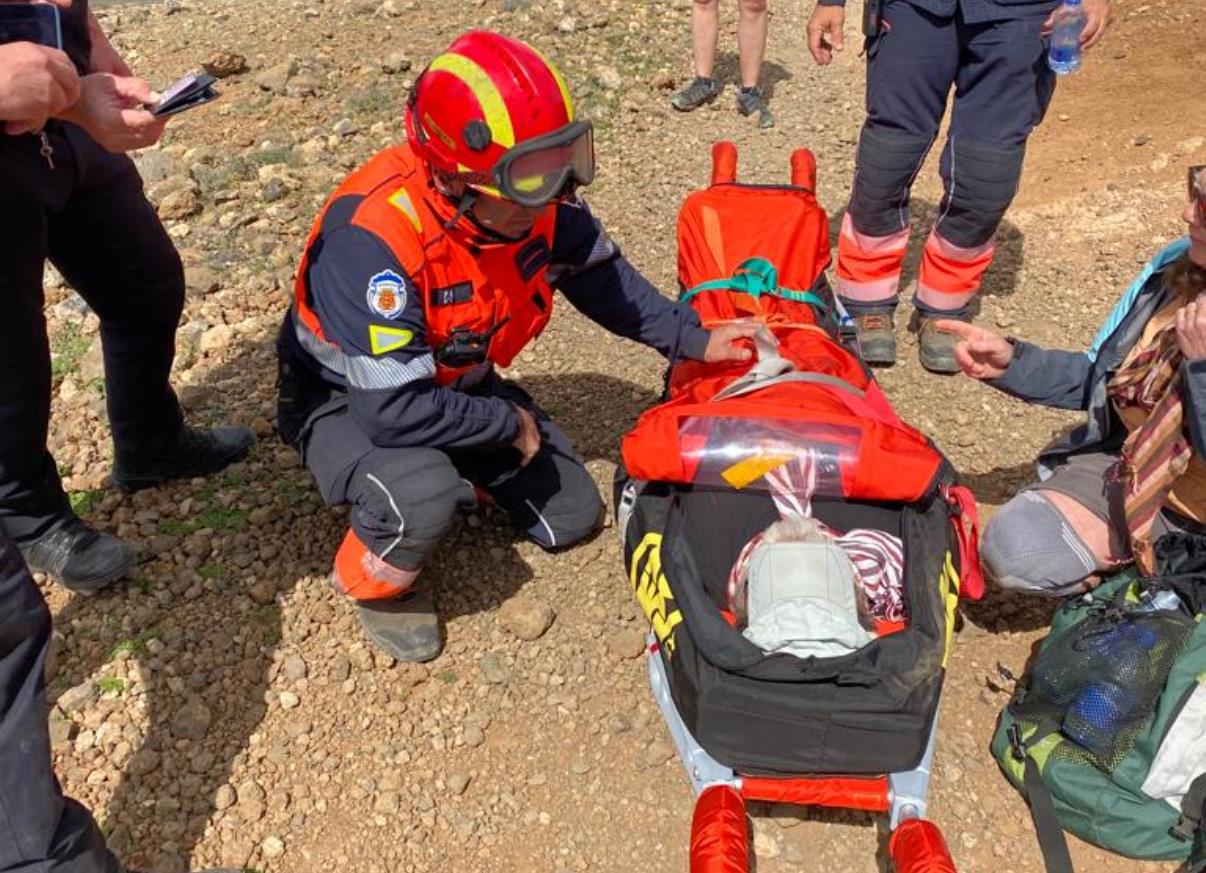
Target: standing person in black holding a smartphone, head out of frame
<point>68,115</point>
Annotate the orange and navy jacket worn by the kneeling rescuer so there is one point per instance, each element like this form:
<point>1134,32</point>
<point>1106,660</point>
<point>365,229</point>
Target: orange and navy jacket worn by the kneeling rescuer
<point>383,288</point>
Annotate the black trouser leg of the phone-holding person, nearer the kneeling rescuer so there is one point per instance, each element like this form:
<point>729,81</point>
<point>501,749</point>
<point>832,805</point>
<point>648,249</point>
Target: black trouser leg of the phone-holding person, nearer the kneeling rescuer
<point>110,245</point>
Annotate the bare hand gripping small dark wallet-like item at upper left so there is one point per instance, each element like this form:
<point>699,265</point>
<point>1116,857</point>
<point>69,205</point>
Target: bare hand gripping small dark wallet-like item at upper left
<point>113,110</point>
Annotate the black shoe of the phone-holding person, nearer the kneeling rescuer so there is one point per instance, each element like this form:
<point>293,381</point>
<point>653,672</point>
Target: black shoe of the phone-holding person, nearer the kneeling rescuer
<point>195,453</point>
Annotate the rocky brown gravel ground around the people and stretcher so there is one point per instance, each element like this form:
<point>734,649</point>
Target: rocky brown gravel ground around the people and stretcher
<point>223,708</point>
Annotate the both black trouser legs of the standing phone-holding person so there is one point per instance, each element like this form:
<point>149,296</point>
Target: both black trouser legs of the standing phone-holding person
<point>90,218</point>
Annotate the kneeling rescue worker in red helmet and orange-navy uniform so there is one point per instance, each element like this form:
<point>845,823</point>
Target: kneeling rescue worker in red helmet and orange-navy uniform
<point>428,268</point>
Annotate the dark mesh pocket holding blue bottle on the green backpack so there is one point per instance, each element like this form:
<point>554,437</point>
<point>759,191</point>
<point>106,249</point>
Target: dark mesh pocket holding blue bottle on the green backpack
<point>1099,684</point>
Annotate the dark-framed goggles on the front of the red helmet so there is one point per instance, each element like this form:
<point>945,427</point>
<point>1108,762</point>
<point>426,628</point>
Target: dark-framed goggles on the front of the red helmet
<point>538,172</point>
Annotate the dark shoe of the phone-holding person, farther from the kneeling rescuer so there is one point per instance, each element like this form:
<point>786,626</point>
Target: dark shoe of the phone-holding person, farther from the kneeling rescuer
<point>79,558</point>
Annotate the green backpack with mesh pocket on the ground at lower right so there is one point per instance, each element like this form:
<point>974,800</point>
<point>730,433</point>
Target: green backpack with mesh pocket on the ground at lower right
<point>1107,734</point>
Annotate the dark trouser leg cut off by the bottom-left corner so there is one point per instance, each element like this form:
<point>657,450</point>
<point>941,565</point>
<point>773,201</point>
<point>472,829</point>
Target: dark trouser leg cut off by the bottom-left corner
<point>42,831</point>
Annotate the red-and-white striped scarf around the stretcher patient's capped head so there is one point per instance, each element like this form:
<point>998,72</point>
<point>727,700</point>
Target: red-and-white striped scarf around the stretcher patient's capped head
<point>877,556</point>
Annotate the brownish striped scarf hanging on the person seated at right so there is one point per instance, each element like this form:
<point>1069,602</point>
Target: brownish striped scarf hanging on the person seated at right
<point>1157,453</point>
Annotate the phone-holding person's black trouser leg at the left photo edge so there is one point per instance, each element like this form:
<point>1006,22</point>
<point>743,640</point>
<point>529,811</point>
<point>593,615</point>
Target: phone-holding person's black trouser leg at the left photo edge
<point>31,494</point>
